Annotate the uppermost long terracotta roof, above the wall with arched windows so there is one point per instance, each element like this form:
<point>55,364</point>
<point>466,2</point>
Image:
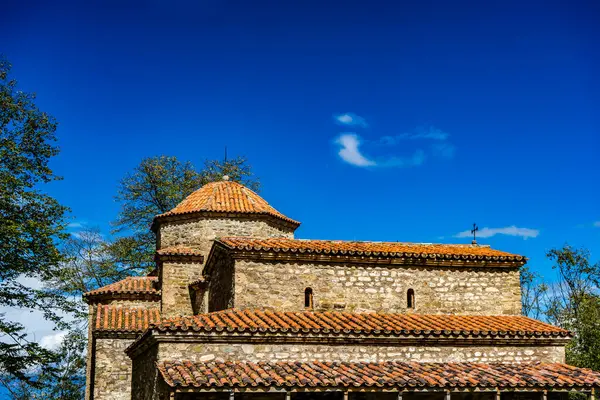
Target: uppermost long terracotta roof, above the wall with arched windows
<point>391,249</point>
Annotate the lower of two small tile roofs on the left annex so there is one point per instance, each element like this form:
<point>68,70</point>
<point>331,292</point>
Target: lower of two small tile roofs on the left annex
<point>125,319</point>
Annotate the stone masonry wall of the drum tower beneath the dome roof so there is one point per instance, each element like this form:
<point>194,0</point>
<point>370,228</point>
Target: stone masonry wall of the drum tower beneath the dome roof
<point>199,234</point>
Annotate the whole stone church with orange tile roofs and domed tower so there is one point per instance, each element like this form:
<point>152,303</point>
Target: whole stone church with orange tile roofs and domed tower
<point>240,309</point>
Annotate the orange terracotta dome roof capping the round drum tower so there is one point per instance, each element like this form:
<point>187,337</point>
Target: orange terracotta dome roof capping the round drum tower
<point>226,196</point>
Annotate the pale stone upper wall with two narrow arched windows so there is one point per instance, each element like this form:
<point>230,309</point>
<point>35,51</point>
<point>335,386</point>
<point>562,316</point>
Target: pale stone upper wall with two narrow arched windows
<point>363,287</point>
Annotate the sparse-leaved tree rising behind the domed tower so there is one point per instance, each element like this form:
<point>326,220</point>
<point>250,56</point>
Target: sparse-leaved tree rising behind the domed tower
<point>156,186</point>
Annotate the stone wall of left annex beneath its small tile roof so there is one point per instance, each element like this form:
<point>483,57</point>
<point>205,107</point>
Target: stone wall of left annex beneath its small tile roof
<point>112,370</point>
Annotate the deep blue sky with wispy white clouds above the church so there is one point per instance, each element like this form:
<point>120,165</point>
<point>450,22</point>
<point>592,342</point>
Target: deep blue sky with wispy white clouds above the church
<point>363,120</point>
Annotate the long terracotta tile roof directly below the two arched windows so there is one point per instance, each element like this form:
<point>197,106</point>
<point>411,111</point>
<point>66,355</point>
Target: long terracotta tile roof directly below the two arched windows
<point>363,323</point>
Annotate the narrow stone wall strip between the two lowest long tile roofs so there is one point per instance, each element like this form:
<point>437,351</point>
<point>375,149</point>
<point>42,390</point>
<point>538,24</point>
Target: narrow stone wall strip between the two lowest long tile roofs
<point>356,353</point>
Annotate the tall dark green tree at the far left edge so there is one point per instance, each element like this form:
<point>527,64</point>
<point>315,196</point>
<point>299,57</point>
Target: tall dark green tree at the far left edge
<point>31,224</point>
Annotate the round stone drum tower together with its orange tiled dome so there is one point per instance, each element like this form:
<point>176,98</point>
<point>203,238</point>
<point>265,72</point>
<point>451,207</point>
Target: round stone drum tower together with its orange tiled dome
<point>217,209</point>
